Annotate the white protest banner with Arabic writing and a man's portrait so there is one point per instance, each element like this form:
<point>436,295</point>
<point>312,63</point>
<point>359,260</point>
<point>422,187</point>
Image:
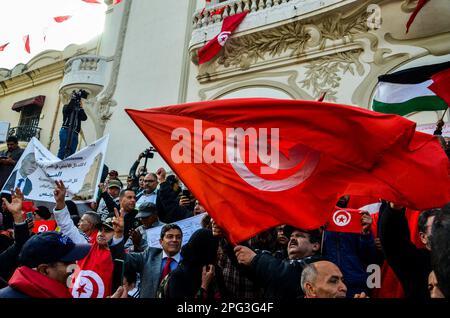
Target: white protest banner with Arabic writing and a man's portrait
<point>37,169</point>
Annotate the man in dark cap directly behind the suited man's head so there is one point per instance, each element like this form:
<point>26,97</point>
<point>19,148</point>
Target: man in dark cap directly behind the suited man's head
<point>148,215</point>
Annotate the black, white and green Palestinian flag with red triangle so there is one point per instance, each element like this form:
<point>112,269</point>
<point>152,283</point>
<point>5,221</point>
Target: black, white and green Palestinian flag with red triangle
<point>409,90</point>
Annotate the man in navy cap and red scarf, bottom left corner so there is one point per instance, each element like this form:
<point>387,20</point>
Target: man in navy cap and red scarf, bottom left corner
<point>46,258</point>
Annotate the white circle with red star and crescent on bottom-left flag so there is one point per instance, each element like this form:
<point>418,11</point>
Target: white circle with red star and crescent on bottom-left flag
<point>88,285</point>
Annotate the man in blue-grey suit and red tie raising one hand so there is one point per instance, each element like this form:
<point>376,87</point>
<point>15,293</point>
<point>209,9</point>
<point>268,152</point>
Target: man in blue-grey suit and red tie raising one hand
<point>153,264</point>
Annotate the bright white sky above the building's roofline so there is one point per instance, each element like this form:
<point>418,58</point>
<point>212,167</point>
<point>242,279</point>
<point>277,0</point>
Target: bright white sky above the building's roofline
<point>35,17</point>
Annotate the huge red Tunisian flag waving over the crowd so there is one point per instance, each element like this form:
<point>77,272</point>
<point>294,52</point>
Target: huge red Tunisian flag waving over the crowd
<point>325,151</point>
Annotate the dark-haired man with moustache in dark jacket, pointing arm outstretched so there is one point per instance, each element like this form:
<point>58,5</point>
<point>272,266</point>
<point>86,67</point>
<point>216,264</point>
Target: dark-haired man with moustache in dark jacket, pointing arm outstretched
<point>281,278</point>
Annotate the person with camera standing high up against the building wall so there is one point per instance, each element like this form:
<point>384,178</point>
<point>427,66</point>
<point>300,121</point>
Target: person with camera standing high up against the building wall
<point>73,115</point>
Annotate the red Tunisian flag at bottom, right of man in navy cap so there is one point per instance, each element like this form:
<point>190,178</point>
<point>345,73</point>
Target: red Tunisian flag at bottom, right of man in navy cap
<point>93,276</point>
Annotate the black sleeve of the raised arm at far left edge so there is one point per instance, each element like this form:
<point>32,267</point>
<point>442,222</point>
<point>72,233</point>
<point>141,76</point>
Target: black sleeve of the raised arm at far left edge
<point>9,259</point>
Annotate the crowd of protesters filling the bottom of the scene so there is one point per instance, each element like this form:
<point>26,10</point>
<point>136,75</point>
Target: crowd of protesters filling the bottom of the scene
<point>410,248</point>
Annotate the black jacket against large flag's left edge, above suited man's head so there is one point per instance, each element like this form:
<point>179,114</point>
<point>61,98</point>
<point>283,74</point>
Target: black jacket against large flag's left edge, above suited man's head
<point>167,203</point>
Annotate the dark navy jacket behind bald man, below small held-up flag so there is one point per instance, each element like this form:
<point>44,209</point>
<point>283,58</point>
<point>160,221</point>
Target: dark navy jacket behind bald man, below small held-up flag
<point>352,253</point>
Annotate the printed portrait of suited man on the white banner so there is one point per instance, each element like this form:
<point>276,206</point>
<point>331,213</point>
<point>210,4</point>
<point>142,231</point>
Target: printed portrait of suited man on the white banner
<point>19,178</point>
